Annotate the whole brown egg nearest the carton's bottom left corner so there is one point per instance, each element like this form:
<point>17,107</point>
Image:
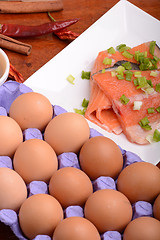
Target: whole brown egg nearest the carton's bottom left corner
<point>40,214</point>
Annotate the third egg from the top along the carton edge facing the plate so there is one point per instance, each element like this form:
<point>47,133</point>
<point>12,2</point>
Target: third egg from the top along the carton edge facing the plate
<point>100,156</point>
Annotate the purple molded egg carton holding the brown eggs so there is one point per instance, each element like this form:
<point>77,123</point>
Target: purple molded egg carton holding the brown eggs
<point>9,91</point>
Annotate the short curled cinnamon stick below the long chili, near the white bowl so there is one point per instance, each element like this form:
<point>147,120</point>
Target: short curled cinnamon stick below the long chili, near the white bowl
<point>14,45</point>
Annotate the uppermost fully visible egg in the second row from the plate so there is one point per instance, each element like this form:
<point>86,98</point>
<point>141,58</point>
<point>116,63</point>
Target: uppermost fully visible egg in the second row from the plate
<point>34,160</point>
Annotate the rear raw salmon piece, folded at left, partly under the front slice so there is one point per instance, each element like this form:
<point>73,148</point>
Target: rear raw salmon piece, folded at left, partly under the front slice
<point>100,109</point>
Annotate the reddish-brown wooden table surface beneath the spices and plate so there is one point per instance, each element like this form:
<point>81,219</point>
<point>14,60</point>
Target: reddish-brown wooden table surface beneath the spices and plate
<point>46,47</point>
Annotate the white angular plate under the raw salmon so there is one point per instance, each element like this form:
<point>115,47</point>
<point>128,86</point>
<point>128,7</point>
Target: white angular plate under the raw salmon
<point>124,23</point>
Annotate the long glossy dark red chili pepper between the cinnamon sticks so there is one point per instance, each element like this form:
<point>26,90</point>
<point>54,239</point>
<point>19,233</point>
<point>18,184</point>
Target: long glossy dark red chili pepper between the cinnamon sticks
<point>16,30</point>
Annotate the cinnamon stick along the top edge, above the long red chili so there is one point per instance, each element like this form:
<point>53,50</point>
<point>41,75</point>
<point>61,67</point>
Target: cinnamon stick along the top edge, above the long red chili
<point>30,6</point>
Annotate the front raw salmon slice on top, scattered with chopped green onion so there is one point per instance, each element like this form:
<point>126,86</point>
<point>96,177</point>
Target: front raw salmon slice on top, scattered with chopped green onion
<point>129,118</point>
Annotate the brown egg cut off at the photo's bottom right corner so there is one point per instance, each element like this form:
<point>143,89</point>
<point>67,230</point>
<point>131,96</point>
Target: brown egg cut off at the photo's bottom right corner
<point>142,228</point>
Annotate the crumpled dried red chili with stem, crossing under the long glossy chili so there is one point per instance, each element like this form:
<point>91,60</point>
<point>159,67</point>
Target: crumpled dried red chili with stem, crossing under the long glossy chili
<point>64,34</point>
